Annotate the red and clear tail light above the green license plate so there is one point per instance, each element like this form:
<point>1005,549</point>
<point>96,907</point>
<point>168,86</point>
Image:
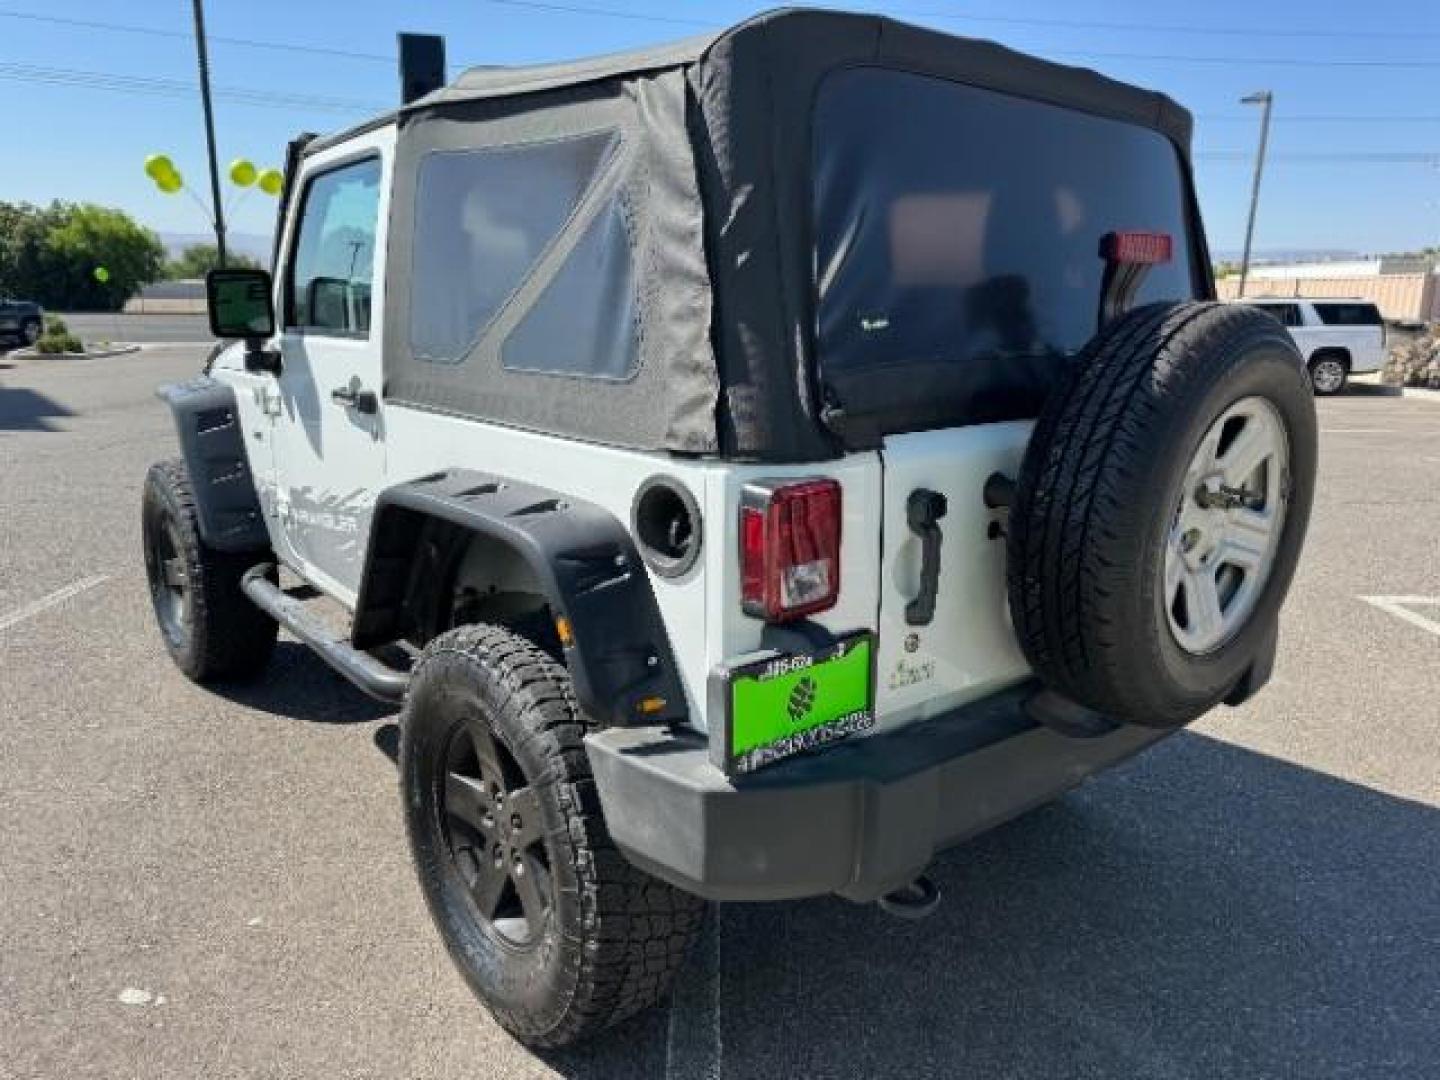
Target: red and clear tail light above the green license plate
<point>790,548</point>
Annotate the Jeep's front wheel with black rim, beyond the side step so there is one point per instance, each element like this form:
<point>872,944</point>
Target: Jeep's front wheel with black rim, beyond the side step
<point>212,630</point>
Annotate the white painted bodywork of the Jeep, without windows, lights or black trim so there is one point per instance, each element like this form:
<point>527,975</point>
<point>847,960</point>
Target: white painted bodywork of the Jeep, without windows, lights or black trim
<point>320,467</point>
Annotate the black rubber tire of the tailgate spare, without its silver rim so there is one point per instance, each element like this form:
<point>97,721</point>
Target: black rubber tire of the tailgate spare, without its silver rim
<point>1097,502</point>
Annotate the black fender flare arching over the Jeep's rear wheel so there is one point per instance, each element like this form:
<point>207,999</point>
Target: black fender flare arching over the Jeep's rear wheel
<point>580,554</point>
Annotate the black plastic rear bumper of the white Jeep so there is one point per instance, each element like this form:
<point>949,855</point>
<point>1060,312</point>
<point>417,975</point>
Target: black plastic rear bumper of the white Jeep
<point>859,819</point>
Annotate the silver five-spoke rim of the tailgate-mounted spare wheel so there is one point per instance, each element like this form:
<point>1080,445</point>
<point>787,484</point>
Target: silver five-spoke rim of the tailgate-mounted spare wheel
<point>1223,541</point>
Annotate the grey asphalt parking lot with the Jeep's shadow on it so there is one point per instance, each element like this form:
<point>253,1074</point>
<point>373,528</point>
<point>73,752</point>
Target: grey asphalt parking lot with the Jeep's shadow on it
<point>204,885</point>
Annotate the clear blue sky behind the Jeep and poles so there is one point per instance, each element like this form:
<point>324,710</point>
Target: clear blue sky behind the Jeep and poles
<point>73,138</point>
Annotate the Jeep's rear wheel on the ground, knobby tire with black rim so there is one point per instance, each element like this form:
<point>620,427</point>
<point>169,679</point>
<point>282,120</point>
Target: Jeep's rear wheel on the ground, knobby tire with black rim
<point>608,938</point>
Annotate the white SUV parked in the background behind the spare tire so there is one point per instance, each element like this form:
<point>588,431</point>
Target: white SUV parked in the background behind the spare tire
<point>1337,338</point>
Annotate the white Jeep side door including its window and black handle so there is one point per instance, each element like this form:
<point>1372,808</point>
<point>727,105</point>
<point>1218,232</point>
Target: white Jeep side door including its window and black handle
<point>329,440</point>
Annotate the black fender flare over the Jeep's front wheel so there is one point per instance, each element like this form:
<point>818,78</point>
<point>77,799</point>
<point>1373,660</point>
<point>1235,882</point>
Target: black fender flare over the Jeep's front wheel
<point>214,447</point>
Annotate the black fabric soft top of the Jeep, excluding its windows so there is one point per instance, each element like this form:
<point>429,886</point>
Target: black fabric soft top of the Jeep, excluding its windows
<point>716,181</point>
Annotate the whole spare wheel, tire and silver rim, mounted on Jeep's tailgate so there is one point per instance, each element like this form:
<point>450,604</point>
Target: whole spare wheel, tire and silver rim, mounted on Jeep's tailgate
<point>1161,509</point>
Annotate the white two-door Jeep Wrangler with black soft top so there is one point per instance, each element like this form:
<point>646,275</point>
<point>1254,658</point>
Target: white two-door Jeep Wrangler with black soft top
<point>757,464</point>
